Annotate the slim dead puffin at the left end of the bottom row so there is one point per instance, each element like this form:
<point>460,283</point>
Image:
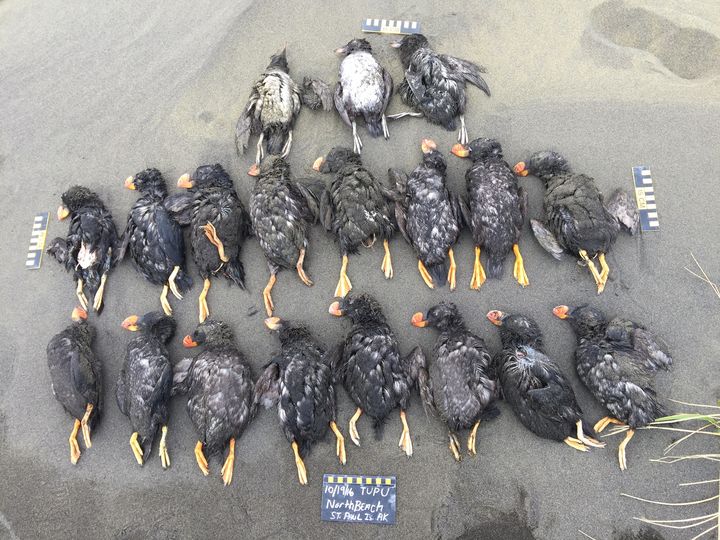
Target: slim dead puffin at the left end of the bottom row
<point>76,375</point>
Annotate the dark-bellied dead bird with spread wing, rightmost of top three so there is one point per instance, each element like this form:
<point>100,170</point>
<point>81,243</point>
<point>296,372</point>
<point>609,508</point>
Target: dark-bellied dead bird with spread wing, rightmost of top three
<point>435,84</point>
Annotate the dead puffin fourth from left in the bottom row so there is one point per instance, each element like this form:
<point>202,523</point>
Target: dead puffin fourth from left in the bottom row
<point>299,380</point>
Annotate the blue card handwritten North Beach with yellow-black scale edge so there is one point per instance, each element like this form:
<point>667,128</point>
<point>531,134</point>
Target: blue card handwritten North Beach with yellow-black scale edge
<point>359,499</point>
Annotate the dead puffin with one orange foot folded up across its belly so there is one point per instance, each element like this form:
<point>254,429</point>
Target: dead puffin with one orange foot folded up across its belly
<point>219,225</point>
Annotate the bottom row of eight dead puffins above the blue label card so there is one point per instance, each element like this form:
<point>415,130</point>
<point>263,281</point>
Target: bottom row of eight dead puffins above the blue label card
<point>616,359</point>
